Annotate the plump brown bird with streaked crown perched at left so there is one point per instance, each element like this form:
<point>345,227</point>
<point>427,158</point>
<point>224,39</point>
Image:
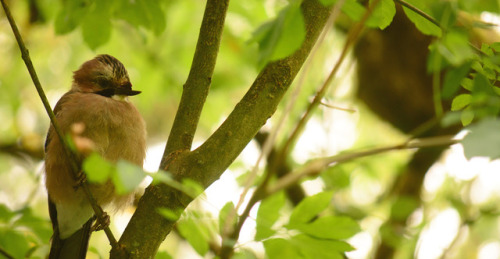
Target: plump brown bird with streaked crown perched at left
<point>98,103</point>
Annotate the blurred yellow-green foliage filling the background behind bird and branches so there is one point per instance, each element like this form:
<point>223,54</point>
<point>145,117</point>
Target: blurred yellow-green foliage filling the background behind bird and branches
<point>156,40</point>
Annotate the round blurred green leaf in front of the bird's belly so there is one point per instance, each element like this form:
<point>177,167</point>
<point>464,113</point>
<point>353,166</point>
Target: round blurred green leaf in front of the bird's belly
<point>97,169</point>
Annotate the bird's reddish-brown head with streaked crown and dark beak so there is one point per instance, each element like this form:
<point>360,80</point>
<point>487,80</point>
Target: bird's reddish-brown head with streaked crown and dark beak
<point>104,75</point>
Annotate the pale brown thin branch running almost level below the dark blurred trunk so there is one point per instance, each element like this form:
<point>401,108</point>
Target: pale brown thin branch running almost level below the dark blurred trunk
<point>316,166</point>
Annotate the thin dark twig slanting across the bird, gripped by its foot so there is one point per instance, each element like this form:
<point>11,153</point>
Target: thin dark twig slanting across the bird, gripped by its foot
<point>74,164</point>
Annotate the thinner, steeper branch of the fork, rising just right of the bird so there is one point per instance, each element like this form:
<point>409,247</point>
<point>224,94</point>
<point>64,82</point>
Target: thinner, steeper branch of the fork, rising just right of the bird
<point>197,85</point>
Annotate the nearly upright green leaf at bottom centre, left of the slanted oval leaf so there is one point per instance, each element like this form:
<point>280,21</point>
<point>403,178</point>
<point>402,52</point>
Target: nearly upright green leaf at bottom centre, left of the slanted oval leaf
<point>267,215</point>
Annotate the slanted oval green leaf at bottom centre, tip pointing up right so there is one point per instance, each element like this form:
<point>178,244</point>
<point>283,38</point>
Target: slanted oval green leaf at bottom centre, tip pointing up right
<point>310,207</point>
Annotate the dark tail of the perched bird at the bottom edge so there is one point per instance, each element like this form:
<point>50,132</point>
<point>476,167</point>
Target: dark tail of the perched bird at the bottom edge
<point>73,247</point>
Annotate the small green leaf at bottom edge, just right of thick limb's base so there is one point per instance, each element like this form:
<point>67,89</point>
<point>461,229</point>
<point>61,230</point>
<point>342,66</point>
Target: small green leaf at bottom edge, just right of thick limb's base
<point>193,233</point>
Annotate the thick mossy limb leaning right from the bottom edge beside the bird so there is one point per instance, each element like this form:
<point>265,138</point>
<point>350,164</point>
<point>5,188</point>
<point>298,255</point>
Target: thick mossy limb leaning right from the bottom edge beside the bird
<point>147,229</point>
